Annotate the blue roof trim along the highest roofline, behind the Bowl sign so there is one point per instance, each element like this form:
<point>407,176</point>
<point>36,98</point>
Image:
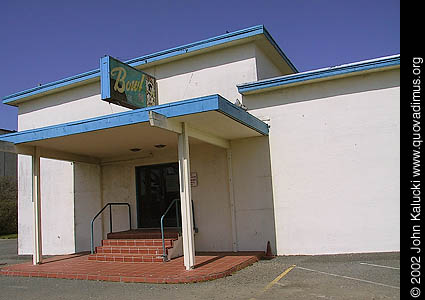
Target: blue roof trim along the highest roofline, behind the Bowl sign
<point>161,55</point>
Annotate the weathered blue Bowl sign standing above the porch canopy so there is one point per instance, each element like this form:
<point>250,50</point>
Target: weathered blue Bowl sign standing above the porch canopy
<point>126,86</point>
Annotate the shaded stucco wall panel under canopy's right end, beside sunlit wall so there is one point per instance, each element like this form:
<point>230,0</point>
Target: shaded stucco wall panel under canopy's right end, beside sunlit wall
<point>253,194</point>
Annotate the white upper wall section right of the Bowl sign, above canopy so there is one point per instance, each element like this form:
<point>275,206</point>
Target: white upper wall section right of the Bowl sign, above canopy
<point>216,72</point>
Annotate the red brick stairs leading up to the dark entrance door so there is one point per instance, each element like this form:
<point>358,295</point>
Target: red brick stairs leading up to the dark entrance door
<point>133,247</point>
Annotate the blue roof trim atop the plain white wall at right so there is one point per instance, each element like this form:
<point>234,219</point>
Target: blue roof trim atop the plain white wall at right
<point>318,74</point>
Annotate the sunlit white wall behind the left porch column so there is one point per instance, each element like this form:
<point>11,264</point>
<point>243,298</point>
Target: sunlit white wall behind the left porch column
<point>57,211</point>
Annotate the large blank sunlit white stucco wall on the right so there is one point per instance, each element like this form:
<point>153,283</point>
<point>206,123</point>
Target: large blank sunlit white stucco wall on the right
<point>335,159</point>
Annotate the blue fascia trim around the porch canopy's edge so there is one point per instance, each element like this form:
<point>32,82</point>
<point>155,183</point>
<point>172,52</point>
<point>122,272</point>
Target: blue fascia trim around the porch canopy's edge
<point>174,109</point>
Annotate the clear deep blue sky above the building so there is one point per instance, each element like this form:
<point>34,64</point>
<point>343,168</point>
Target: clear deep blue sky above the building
<point>44,41</point>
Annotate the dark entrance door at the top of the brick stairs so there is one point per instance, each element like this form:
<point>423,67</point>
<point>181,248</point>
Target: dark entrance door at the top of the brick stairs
<point>156,187</point>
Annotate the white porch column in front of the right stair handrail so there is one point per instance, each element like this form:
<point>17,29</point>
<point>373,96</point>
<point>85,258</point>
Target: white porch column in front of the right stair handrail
<point>186,199</point>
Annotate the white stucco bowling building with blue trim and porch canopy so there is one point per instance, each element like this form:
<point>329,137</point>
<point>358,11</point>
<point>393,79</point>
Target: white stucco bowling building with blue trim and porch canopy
<point>312,166</point>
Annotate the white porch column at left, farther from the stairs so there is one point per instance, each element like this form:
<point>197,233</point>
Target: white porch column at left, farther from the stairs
<point>37,256</point>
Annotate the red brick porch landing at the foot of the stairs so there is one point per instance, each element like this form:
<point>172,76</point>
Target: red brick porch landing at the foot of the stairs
<point>208,266</point>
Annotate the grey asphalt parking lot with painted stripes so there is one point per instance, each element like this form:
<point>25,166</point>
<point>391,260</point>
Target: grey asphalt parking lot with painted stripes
<point>347,276</point>
